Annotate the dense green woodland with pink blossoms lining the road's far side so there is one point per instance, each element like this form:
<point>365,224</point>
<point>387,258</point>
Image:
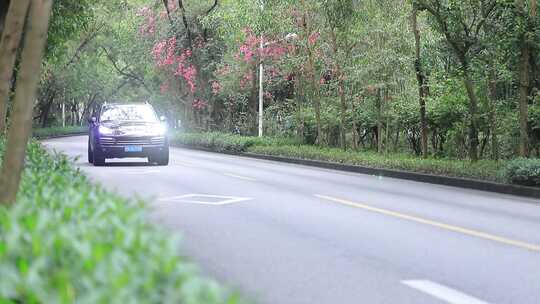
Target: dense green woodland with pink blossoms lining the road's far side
<point>442,78</point>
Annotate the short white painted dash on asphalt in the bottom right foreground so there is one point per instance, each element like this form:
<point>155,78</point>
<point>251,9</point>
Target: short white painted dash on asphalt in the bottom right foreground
<point>441,292</point>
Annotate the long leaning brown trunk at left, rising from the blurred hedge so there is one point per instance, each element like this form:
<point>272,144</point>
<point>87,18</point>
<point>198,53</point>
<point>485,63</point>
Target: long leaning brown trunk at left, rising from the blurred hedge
<point>25,93</point>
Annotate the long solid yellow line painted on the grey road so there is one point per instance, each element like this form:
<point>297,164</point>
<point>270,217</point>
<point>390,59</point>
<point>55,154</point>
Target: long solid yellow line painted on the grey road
<point>470,232</point>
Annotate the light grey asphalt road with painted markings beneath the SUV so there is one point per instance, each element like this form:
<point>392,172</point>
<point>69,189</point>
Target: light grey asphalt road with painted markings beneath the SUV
<point>284,233</point>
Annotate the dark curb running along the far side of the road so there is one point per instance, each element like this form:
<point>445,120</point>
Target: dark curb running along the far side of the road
<point>465,183</point>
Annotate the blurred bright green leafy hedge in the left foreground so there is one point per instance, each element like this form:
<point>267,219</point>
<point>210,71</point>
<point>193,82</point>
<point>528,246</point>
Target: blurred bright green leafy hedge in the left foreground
<point>66,240</point>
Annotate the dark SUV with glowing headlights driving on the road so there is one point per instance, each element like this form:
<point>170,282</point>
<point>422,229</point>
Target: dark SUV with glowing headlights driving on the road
<point>127,130</point>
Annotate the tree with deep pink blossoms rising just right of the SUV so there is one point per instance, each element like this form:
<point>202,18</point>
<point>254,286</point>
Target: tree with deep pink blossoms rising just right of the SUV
<point>179,49</point>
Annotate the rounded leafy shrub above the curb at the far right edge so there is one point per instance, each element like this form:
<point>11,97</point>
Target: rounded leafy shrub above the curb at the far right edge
<point>523,171</point>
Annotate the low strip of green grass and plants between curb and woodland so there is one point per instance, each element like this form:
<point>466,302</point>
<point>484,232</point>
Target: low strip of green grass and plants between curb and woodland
<point>524,172</point>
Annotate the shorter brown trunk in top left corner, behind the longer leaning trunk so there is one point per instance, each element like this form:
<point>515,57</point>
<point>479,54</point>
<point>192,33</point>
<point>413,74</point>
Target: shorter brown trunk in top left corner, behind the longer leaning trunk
<point>11,37</point>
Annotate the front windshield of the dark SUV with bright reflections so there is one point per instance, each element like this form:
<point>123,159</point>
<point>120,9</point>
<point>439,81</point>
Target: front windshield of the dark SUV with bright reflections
<point>129,113</point>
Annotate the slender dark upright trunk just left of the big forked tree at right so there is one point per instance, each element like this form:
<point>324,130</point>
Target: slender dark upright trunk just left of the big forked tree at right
<point>422,84</point>
